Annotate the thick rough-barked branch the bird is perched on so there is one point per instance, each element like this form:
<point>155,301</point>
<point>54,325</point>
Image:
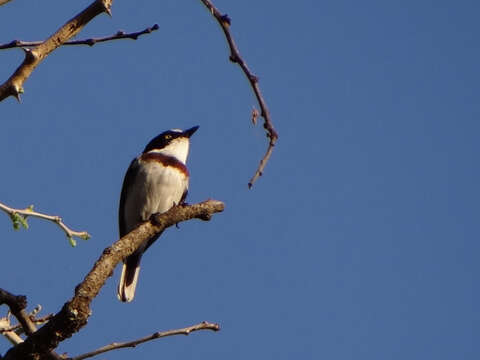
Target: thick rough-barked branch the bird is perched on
<point>75,313</point>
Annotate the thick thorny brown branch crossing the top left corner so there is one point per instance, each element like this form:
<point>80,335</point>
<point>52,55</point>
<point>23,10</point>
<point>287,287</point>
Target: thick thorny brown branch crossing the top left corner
<point>14,85</point>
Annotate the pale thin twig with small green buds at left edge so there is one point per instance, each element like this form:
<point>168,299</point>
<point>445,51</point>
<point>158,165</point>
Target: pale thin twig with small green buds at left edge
<point>19,218</point>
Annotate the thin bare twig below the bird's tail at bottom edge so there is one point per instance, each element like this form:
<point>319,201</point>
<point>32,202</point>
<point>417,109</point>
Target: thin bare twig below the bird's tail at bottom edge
<point>185,331</point>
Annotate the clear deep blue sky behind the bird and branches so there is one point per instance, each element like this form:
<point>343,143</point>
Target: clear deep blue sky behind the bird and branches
<point>361,241</point>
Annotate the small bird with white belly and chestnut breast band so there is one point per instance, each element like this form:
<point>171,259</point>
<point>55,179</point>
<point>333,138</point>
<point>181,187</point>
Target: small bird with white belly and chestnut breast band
<point>156,181</point>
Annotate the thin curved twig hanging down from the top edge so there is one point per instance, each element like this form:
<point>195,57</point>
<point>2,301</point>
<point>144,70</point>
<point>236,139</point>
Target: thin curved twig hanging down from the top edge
<point>224,21</point>
